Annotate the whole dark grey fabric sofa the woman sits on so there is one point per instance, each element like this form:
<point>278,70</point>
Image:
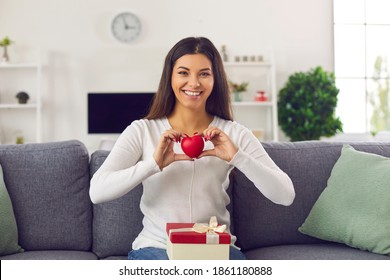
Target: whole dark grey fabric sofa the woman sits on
<point>48,184</point>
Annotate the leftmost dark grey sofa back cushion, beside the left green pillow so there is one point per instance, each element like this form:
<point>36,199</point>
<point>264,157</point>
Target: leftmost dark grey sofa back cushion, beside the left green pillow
<point>48,184</point>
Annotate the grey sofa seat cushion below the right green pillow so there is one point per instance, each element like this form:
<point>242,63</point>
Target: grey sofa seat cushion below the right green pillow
<point>326,251</point>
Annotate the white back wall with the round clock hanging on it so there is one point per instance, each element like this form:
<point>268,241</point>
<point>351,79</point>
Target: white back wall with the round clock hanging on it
<point>80,55</point>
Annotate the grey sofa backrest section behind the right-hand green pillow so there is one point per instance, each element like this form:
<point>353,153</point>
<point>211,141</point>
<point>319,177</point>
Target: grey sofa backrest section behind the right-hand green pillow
<point>259,222</point>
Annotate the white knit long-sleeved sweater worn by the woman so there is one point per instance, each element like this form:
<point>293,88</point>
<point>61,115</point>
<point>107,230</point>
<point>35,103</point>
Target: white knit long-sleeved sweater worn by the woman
<point>185,191</point>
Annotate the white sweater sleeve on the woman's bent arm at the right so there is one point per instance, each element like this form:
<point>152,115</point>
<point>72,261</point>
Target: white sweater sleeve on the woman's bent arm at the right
<point>252,160</point>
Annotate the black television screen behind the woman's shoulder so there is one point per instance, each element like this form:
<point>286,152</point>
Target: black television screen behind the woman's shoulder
<point>113,112</point>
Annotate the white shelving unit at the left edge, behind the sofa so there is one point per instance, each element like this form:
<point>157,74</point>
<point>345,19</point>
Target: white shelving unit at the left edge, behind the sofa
<point>20,120</point>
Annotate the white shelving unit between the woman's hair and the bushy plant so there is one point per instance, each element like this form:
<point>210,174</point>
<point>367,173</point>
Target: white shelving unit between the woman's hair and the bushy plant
<point>259,116</point>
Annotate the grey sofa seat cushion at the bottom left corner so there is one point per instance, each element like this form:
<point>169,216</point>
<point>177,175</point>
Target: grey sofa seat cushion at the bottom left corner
<point>52,255</point>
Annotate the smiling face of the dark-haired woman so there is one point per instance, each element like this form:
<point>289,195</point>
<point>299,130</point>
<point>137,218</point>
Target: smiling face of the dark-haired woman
<point>192,81</point>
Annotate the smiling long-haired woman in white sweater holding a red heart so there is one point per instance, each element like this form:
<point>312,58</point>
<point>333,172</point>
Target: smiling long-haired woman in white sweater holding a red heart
<point>193,96</point>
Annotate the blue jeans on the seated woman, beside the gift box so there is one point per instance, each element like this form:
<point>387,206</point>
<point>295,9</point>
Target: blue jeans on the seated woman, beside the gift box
<point>151,253</point>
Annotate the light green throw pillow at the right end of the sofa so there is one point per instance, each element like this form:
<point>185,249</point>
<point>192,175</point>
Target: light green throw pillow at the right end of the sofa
<point>354,208</point>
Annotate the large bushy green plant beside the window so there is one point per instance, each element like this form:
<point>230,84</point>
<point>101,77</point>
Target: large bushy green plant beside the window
<point>306,105</point>
